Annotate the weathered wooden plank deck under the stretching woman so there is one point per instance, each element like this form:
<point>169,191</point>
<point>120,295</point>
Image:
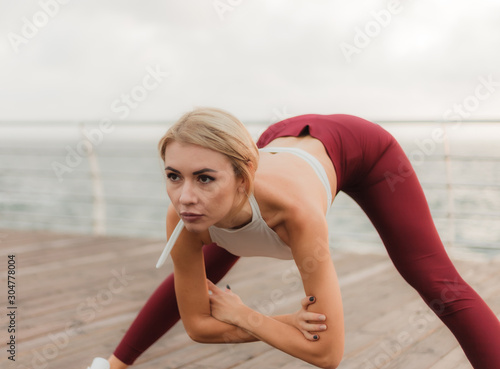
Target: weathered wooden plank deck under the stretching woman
<point>77,295</point>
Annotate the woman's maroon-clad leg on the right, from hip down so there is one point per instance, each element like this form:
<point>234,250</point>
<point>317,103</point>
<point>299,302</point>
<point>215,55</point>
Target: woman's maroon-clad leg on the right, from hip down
<point>391,196</point>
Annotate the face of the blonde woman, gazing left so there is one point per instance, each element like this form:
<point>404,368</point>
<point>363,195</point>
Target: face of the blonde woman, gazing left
<point>201,184</point>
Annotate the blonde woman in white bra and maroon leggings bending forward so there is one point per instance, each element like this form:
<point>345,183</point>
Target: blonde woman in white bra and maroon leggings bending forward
<point>241,202</point>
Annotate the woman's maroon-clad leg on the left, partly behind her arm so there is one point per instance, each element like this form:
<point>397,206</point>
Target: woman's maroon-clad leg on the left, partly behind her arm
<point>160,312</point>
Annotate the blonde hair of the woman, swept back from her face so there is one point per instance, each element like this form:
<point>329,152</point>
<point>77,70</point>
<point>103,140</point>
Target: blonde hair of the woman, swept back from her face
<point>217,130</point>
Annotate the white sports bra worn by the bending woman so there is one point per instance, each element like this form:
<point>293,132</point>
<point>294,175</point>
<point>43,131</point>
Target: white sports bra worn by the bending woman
<point>255,238</point>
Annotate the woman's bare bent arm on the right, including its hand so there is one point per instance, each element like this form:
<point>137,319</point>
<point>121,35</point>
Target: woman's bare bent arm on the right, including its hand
<point>309,232</point>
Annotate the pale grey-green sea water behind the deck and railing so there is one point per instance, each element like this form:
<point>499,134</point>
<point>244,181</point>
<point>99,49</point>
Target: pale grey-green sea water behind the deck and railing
<point>86,178</point>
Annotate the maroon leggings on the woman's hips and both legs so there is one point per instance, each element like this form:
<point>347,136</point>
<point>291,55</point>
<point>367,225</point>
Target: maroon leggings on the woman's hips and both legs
<point>371,168</point>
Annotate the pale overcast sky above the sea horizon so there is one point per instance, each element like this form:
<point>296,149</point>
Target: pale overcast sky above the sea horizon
<point>123,60</point>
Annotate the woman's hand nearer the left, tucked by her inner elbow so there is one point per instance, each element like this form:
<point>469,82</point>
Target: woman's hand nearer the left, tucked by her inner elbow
<point>224,304</point>
